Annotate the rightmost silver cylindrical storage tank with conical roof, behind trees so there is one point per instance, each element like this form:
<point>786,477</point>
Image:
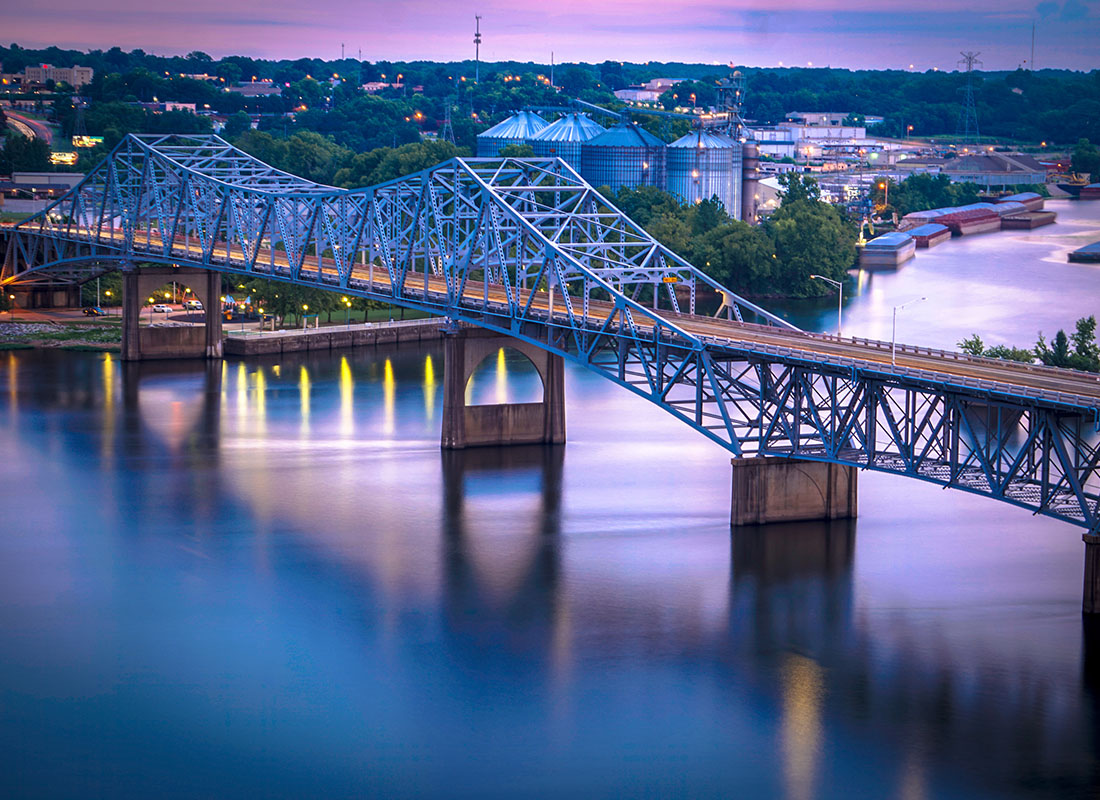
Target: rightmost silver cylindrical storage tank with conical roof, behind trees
<point>706,165</point>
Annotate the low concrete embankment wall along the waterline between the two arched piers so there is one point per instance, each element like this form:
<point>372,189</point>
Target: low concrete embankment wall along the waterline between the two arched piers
<point>332,338</point>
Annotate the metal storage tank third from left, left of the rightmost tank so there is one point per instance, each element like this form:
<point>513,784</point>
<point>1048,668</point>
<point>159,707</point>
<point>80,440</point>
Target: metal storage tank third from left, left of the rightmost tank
<point>625,156</point>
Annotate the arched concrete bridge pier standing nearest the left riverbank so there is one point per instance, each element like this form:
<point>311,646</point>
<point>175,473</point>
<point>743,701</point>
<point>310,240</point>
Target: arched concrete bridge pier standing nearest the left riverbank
<point>171,343</point>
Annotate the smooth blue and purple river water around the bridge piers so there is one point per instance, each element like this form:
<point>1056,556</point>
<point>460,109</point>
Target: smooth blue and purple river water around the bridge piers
<point>265,579</point>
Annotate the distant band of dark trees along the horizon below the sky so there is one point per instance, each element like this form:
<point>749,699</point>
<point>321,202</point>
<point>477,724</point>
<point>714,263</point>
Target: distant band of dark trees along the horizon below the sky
<point>1053,106</point>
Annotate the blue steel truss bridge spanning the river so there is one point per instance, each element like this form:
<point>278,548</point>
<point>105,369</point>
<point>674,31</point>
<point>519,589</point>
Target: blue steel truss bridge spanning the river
<point>526,248</point>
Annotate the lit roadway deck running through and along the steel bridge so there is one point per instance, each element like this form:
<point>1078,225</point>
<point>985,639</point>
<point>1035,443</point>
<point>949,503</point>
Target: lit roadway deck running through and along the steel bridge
<point>1028,380</point>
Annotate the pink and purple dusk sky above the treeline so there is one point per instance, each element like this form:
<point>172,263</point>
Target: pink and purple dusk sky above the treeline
<point>850,34</point>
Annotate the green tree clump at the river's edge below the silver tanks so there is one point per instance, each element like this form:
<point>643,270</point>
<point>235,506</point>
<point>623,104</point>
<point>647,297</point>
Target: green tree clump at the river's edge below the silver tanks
<point>804,237</point>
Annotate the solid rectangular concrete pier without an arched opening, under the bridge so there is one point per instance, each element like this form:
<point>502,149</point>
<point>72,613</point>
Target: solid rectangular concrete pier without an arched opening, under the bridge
<point>780,490</point>
